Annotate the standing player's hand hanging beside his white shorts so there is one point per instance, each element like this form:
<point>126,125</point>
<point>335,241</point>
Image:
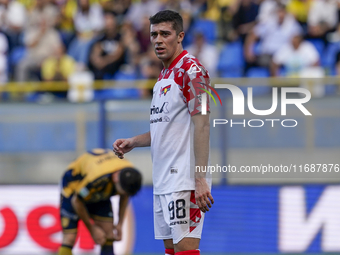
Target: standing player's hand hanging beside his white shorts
<point>203,195</point>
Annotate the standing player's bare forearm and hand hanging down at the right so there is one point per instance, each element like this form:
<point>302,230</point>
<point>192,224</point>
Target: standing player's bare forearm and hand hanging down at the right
<point>201,150</point>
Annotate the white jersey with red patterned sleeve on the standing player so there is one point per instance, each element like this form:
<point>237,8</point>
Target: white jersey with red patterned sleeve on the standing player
<point>176,97</point>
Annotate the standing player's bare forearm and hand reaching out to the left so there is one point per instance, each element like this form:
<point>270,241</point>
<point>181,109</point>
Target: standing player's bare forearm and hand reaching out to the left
<point>122,146</point>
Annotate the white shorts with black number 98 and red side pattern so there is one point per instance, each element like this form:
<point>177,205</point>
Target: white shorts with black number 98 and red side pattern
<point>176,216</point>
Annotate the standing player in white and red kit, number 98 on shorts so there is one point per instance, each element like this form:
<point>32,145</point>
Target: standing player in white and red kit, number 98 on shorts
<point>180,193</point>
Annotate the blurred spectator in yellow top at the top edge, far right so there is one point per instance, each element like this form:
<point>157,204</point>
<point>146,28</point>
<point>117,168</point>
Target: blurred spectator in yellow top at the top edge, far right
<point>299,9</point>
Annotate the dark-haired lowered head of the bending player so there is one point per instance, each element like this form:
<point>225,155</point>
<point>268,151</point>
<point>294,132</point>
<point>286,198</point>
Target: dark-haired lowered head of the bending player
<point>130,180</point>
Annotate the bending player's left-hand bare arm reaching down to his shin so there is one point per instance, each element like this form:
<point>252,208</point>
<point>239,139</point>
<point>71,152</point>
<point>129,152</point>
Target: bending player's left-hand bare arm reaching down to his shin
<point>97,233</point>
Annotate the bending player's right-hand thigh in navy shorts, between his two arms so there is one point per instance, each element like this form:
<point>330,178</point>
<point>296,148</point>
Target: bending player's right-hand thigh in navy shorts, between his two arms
<point>102,214</point>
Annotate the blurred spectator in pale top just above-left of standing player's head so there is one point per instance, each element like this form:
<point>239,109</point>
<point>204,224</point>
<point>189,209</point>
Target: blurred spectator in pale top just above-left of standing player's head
<point>138,10</point>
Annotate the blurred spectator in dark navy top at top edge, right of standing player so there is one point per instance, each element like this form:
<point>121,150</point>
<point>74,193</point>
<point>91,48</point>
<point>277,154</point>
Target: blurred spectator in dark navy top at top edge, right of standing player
<point>244,18</point>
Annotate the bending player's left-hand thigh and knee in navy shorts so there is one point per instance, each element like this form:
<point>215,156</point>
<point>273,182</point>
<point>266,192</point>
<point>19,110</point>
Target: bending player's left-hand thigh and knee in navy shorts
<point>69,221</point>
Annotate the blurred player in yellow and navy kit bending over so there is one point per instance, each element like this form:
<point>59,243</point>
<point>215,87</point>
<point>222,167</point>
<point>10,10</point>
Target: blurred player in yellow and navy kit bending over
<point>87,186</point>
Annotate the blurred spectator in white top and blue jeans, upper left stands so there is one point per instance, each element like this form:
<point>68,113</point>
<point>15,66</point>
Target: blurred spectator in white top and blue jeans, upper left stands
<point>88,22</point>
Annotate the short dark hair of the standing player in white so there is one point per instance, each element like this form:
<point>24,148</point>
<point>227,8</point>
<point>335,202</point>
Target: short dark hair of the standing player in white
<point>168,16</point>
